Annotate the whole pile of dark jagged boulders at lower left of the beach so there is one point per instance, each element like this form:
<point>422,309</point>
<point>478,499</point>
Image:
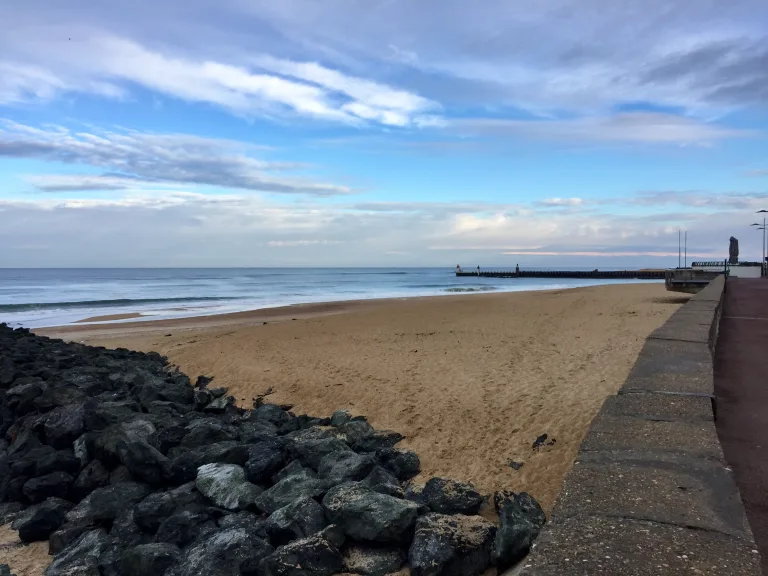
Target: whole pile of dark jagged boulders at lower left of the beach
<point>127,468</point>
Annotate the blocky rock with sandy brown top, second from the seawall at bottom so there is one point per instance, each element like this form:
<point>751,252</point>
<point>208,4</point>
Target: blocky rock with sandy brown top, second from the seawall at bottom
<point>451,545</point>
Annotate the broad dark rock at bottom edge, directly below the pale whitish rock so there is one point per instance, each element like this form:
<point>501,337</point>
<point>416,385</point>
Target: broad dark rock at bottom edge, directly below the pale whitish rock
<point>225,553</point>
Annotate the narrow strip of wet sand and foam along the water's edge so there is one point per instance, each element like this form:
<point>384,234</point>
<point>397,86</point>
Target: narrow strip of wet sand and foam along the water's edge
<point>125,323</point>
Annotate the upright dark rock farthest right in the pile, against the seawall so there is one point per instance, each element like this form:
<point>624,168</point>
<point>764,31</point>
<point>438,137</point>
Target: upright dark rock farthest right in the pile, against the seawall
<point>521,519</point>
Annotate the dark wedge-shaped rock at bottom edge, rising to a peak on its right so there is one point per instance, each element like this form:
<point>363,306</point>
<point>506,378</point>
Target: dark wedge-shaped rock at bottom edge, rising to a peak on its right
<point>316,555</point>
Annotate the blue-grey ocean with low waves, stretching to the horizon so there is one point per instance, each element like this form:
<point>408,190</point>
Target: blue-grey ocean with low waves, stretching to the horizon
<point>35,297</point>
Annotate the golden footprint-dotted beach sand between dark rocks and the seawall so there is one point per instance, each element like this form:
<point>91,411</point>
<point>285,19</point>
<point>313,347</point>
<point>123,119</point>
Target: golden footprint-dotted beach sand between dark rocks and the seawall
<point>470,380</point>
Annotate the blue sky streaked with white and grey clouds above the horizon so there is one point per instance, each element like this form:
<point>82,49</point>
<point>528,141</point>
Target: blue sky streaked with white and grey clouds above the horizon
<point>381,132</point>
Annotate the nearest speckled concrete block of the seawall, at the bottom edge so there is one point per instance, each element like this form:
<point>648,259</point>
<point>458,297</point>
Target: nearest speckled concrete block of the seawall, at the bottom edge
<point>599,546</point>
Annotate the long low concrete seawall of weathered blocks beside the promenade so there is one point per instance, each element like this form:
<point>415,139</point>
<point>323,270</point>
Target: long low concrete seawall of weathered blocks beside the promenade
<point>650,491</point>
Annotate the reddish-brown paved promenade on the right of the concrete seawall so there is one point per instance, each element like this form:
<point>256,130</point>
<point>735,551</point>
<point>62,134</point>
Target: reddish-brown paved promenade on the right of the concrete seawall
<point>741,388</point>
